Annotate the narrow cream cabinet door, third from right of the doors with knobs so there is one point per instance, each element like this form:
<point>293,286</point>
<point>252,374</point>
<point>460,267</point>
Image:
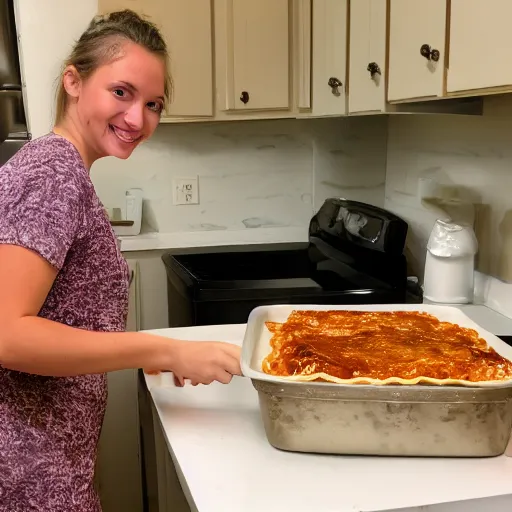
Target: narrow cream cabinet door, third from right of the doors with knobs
<point>329,57</point>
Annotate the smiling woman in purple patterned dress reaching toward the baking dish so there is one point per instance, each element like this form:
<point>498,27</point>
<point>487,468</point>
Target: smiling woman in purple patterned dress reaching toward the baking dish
<point>64,283</point>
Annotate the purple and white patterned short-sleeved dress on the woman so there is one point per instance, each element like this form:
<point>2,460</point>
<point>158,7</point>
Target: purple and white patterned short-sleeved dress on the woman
<point>49,426</point>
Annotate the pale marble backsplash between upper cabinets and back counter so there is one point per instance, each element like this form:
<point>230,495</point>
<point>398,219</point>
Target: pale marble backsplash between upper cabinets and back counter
<point>276,173</point>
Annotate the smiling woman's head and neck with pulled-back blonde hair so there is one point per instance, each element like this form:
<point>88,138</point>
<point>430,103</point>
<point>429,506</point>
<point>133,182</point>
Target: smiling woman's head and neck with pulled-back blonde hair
<point>115,83</point>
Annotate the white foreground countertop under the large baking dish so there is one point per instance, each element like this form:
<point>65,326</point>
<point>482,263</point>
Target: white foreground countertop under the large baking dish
<point>225,463</point>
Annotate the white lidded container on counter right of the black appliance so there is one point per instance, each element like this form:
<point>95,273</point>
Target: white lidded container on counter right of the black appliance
<point>450,263</point>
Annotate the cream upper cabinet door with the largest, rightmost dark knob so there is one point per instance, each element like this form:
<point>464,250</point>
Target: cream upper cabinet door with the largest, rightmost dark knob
<point>417,34</point>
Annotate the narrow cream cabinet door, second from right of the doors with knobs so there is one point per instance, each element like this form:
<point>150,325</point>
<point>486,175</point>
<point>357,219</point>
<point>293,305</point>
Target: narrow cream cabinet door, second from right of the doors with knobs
<point>367,71</point>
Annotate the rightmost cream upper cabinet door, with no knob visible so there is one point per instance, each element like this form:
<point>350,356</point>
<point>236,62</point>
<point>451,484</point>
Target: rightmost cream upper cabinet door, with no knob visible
<point>480,45</point>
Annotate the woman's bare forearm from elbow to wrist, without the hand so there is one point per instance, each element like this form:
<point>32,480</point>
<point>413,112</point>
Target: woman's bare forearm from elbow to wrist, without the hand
<point>40,346</point>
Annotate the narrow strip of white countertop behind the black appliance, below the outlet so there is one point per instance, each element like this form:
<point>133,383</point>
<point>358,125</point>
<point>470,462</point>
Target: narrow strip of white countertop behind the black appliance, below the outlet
<point>180,240</point>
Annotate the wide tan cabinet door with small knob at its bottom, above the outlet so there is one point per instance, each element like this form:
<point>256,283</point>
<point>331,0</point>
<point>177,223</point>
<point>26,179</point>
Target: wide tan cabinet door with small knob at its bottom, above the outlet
<point>253,55</point>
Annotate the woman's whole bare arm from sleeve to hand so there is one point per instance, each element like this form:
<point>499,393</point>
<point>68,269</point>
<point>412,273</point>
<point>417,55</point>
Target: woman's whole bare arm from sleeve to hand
<point>40,346</point>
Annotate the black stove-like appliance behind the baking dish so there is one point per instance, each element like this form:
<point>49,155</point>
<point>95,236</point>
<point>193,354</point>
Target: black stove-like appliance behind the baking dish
<point>354,255</point>
